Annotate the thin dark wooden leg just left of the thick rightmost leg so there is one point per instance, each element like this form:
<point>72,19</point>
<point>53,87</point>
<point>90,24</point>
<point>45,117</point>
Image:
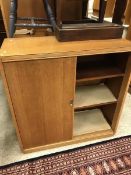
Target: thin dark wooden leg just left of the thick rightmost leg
<point>102,9</point>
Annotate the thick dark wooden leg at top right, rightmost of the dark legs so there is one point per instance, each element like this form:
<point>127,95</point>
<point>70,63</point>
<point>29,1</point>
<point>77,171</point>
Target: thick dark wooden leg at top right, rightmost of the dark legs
<point>119,10</point>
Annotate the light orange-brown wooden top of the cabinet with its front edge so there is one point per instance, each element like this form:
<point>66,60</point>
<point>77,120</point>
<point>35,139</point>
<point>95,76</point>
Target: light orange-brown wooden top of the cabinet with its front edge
<point>49,47</point>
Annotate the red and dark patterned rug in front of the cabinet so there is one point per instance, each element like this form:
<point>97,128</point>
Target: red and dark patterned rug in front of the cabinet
<point>105,158</point>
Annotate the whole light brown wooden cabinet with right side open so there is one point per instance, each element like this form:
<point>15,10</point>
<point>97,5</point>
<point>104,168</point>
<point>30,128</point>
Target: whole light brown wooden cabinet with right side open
<point>64,93</point>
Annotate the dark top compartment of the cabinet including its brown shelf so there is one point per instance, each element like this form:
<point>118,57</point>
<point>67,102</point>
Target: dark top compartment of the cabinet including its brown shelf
<point>100,66</point>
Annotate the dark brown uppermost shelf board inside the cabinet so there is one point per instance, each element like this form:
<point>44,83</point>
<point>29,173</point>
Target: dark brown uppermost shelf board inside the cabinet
<point>92,73</point>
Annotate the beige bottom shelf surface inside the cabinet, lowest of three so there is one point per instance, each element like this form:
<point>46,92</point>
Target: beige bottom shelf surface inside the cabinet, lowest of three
<point>89,121</point>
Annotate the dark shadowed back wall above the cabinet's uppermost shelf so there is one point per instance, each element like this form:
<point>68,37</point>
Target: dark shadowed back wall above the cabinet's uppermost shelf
<point>103,60</point>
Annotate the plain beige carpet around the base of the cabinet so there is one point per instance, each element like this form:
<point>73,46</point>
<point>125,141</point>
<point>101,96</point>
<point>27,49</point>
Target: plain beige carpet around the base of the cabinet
<point>9,147</point>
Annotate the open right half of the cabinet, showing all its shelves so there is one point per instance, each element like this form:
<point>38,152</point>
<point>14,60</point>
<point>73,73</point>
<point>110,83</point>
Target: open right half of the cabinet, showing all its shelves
<point>98,83</point>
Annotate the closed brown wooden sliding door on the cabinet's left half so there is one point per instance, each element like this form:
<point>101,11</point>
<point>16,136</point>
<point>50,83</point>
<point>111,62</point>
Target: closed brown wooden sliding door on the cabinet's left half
<point>40,96</point>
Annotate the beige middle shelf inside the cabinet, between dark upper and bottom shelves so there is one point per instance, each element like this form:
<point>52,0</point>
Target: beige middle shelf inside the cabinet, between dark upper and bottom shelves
<point>87,96</point>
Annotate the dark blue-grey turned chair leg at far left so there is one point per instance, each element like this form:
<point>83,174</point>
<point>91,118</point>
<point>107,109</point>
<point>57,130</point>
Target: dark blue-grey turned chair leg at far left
<point>13,17</point>
